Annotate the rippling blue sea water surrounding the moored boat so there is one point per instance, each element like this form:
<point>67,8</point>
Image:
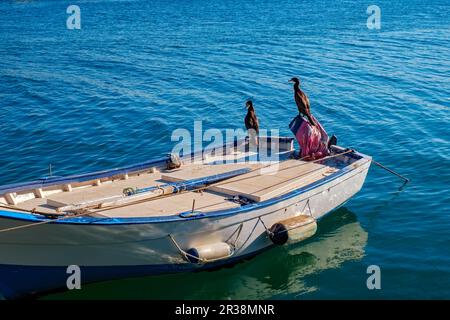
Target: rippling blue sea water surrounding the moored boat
<point>111,94</point>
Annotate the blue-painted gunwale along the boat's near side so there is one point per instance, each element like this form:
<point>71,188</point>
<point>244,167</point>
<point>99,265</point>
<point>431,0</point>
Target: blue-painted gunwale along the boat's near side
<point>110,221</point>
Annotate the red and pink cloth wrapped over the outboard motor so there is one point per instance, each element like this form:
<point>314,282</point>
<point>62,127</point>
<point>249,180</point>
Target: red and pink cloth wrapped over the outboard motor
<point>313,140</point>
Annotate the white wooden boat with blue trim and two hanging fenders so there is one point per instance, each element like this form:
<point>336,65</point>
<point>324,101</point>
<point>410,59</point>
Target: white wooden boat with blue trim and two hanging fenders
<point>216,209</point>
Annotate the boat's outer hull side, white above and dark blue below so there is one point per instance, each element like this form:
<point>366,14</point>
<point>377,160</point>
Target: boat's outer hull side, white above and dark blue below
<point>36,259</point>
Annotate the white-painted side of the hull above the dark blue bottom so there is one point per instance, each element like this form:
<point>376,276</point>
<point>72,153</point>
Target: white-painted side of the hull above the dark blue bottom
<point>148,244</point>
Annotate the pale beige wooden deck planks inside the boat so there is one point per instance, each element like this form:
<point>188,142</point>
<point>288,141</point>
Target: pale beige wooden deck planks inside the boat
<point>263,182</point>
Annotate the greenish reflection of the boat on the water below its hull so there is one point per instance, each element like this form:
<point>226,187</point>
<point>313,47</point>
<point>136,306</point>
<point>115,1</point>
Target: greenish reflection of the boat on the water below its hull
<point>280,272</point>
